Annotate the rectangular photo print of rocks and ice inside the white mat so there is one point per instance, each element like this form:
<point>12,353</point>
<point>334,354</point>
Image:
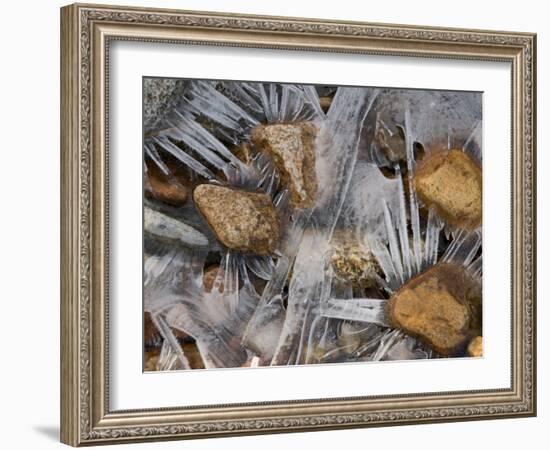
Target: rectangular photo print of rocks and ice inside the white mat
<point>291,224</point>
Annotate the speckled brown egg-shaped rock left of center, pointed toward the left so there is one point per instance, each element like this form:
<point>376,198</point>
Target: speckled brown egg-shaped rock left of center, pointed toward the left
<point>243,221</point>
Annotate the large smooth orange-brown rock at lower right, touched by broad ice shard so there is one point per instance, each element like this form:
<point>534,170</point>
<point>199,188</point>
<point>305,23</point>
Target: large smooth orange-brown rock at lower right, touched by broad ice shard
<point>441,307</point>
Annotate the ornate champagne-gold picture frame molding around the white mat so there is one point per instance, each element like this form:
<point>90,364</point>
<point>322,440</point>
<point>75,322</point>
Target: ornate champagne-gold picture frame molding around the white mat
<point>86,31</point>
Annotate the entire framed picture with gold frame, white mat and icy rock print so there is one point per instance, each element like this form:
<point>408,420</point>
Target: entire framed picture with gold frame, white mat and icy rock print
<point>275,224</point>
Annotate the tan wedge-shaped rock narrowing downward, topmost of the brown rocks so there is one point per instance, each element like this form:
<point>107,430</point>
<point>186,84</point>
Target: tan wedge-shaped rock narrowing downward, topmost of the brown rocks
<point>291,146</point>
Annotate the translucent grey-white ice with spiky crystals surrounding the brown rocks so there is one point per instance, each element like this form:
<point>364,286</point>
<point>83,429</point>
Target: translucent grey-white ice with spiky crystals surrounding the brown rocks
<point>303,314</point>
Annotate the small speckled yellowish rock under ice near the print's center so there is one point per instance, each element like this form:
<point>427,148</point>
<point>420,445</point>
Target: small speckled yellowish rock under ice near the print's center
<point>353,261</point>
